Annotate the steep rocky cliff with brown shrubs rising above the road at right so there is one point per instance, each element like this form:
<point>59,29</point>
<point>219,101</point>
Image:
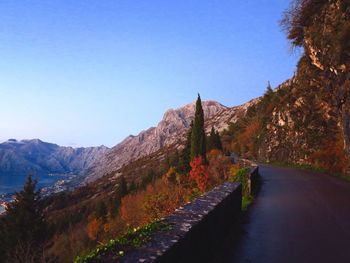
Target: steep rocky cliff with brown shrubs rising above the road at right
<point>306,119</point>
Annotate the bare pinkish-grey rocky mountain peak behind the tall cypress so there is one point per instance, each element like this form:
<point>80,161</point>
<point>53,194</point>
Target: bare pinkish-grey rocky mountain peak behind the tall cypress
<point>170,130</point>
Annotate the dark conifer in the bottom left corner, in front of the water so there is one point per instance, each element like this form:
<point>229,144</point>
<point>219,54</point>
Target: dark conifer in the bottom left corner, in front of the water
<point>23,230</point>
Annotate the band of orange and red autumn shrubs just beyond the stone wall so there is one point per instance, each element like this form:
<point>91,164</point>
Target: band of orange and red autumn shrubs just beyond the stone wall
<point>164,195</point>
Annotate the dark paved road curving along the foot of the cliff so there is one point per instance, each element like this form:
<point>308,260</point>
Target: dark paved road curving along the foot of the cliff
<point>298,217</point>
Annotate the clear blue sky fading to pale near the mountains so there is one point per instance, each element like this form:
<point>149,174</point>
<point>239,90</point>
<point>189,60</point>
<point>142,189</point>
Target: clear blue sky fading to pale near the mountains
<point>91,72</point>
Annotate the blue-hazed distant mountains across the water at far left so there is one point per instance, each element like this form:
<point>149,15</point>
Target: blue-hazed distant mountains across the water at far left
<point>20,157</point>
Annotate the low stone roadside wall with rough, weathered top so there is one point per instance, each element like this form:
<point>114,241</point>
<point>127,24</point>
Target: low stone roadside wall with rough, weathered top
<point>196,228</point>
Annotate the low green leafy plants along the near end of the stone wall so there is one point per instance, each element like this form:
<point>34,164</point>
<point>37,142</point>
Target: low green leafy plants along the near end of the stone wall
<point>117,248</point>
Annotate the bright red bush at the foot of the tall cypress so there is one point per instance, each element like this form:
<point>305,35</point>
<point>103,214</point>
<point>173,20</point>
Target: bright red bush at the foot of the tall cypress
<point>199,173</point>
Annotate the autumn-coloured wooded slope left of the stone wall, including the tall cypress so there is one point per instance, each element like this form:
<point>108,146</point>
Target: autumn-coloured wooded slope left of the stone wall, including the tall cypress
<point>136,196</point>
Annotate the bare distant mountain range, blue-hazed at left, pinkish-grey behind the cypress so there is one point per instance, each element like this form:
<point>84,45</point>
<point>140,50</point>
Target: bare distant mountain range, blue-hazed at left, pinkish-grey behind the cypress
<point>19,157</point>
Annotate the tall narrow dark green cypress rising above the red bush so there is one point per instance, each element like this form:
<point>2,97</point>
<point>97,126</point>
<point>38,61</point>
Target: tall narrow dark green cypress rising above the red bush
<point>198,143</point>
